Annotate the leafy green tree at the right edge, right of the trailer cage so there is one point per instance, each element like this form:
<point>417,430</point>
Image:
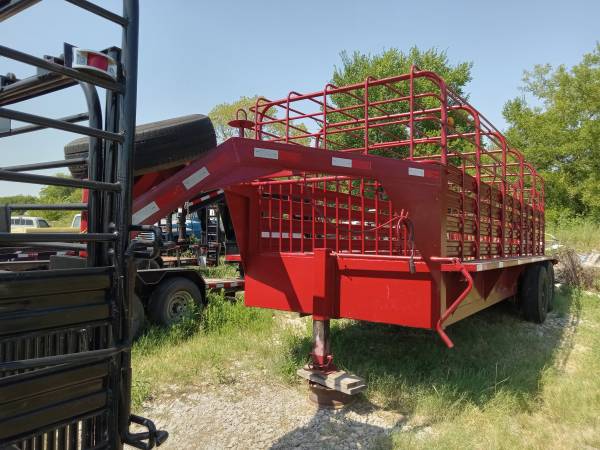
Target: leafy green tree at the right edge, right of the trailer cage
<point>560,133</point>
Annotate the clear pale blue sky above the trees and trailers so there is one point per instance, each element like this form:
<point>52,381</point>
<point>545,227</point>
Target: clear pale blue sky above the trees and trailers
<point>196,54</point>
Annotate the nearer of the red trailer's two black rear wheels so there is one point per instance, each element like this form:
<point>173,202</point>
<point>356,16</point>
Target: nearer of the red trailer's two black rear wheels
<point>533,293</point>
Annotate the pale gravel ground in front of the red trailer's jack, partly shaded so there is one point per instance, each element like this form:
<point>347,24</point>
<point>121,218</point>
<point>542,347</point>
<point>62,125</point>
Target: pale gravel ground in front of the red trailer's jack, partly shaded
<point>249,414</point>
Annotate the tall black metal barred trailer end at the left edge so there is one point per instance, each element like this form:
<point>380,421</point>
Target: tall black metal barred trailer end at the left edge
<point>65,374</point>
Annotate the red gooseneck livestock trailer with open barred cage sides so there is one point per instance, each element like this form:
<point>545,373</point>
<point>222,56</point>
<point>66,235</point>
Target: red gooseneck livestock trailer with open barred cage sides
<point>391,200</point>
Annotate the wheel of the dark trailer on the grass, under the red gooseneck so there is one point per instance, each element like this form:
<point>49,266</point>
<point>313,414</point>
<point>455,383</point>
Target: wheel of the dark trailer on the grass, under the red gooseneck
<point>172,300</point>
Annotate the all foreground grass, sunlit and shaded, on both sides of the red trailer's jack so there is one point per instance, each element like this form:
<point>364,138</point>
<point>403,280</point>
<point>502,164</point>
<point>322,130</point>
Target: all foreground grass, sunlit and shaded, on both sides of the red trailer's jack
<point>506,384</point>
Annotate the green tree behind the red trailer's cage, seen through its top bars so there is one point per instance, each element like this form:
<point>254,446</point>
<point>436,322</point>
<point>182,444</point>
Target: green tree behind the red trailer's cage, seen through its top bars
<point>356,67</point>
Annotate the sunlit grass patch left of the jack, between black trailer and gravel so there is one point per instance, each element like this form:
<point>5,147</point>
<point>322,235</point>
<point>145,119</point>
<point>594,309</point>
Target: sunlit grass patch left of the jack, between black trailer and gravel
<point>201,348</point>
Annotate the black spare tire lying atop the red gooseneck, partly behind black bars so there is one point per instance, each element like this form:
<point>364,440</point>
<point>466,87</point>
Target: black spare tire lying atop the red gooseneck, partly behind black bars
<point>158,145</point>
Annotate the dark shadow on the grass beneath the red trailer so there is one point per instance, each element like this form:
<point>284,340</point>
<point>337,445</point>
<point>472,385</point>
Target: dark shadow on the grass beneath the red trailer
<point>494,350</point>
